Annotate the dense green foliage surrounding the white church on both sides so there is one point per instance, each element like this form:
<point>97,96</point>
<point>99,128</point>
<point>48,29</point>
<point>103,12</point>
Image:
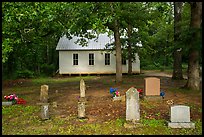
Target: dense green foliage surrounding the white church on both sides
<point>31,30</point>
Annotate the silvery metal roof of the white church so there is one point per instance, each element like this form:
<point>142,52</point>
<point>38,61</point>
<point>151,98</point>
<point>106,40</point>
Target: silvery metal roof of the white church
<point>93,44</point>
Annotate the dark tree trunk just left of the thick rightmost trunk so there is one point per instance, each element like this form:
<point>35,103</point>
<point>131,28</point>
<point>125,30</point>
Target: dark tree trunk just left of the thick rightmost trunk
<point>177,54</point>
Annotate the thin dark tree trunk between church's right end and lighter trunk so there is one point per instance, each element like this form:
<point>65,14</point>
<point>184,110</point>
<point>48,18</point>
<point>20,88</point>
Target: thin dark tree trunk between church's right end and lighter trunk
<point>129,31</point>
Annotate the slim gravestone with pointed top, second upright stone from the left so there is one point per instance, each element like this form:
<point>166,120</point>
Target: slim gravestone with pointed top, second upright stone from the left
<point>81,101</point>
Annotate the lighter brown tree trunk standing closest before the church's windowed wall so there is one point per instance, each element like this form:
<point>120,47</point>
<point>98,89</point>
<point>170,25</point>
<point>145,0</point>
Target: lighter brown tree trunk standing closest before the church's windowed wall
<point>118,52</point>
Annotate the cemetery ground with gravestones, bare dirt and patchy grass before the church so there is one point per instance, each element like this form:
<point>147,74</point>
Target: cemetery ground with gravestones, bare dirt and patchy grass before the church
<point>94,104</point>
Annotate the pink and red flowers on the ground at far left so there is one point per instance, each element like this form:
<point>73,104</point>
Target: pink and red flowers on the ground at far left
<point>14,99</point>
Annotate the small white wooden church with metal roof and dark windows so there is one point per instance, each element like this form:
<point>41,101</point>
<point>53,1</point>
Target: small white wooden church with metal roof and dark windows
<point>92,59</point>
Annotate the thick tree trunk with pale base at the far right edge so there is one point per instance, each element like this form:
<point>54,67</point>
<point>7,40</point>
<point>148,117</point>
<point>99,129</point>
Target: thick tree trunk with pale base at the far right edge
<point>193,64</point>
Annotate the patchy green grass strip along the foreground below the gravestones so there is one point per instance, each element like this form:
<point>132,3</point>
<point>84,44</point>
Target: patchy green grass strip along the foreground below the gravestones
<point>23,120</point>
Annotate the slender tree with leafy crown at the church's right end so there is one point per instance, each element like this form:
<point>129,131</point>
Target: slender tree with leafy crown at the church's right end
<point>134,16</point>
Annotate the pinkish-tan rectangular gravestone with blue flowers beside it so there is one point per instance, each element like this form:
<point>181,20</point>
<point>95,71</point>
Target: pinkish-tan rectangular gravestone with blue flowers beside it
<point>152,87</point>
